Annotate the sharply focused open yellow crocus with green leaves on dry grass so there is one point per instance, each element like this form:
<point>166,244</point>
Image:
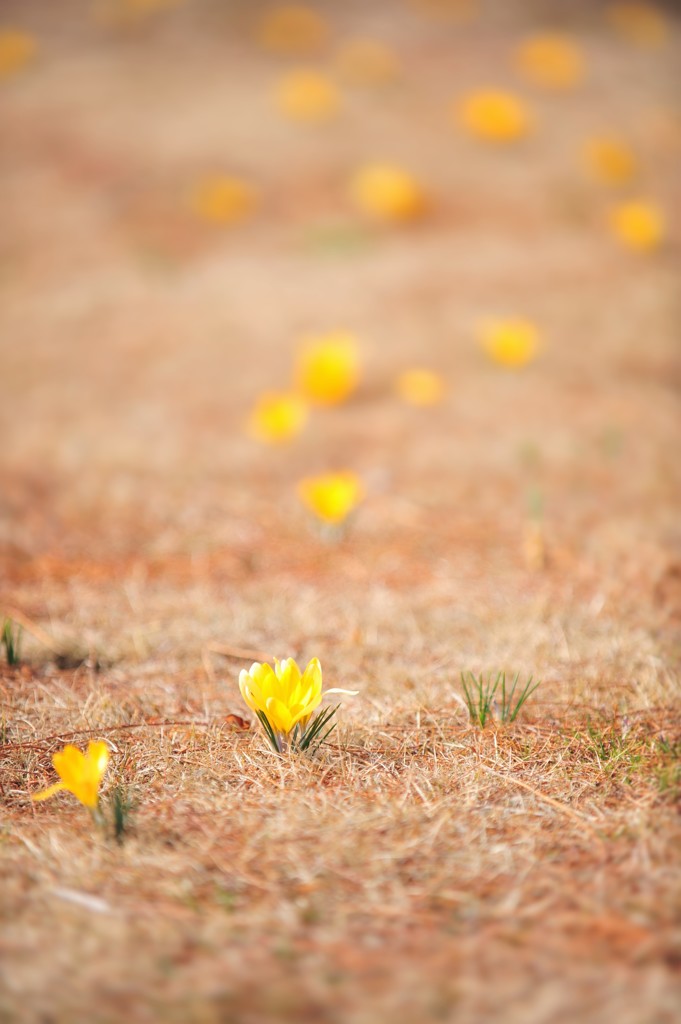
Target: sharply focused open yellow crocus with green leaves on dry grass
<point>284,699</point>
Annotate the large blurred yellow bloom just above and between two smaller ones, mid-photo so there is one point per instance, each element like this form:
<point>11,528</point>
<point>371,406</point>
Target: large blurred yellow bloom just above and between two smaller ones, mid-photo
<point>327,369</point>
